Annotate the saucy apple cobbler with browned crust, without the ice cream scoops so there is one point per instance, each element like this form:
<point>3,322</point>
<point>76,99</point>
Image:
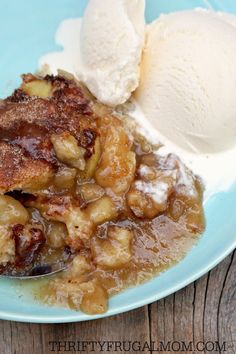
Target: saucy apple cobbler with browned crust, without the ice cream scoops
<point>78,183</point>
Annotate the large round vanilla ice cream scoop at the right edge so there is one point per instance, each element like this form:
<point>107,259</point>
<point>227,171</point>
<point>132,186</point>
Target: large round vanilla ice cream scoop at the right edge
<point>188,79</point>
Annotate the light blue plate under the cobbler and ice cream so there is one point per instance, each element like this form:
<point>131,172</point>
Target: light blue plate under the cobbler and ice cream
<point>27,29</point>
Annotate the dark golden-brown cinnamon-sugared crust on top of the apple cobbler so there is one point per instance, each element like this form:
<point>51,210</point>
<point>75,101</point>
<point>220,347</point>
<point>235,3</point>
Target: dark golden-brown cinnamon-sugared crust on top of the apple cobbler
<point>27,157</point>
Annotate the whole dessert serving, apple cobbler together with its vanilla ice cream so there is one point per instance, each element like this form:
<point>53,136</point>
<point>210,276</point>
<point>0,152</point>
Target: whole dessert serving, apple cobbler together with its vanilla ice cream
<point>78,181</point>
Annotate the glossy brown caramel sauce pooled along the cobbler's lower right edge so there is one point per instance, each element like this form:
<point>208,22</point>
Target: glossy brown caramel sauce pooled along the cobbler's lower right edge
<point>157,245</point>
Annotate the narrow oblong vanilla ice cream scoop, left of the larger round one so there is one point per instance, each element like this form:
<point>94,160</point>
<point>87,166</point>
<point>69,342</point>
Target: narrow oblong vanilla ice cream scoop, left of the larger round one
<point>112,38</point>
